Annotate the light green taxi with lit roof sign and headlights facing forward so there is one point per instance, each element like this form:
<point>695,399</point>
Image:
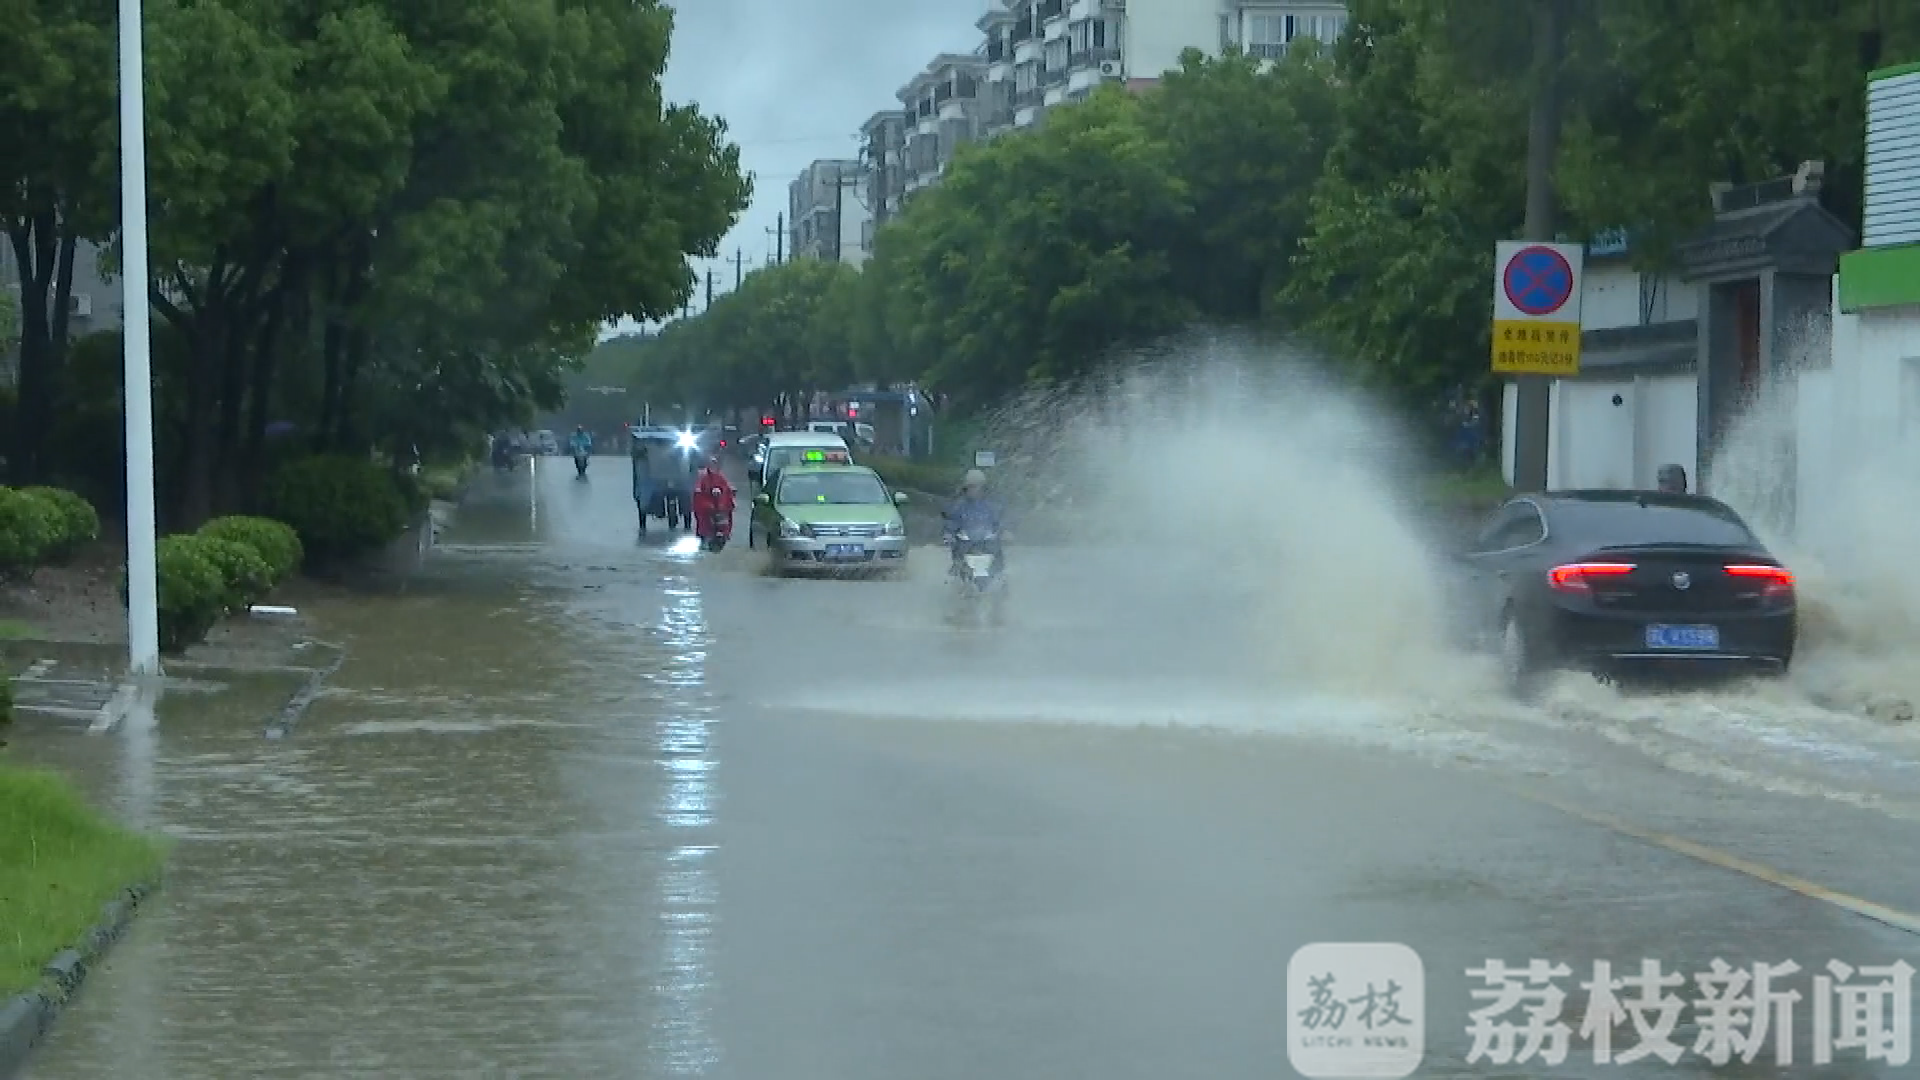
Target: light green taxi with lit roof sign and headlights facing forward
<point>827,518</point>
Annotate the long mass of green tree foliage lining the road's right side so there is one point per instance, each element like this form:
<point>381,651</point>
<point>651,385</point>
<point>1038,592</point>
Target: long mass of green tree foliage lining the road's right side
<point>1351,197</point>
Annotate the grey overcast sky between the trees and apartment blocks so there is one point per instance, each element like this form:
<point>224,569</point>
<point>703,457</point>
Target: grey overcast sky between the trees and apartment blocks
<point>796,80</point>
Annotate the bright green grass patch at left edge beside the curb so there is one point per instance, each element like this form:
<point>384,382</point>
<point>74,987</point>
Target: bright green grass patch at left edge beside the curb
<point>60,862</point>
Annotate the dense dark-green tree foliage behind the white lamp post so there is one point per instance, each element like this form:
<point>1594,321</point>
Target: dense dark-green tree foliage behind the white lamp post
<point>393,226</point>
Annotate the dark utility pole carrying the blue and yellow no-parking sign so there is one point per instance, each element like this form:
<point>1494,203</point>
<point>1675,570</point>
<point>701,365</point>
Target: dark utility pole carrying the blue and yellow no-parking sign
<point>1535,393</point>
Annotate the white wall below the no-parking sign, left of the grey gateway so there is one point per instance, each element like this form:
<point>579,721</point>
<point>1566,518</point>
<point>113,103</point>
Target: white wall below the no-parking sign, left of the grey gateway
<point>1604,445</point>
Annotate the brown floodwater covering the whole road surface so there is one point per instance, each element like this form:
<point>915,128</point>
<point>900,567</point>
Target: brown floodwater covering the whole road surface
<point>592,806</point>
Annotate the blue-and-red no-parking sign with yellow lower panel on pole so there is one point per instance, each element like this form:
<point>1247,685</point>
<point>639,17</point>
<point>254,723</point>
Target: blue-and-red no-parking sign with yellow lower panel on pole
<point>1537,308</point>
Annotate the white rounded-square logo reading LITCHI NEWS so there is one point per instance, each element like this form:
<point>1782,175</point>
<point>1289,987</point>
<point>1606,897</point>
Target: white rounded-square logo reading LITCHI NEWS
<point>1356,1012</point>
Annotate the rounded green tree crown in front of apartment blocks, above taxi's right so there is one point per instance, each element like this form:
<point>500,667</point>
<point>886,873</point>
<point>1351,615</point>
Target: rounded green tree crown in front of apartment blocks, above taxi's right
<point>1042,253</point>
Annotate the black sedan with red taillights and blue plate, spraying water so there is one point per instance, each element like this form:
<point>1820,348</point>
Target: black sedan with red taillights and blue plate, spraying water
<point>1629,583</point>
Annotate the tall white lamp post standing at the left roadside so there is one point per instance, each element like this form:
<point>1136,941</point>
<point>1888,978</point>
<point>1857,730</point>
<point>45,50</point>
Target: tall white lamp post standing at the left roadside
<point>143,576</point>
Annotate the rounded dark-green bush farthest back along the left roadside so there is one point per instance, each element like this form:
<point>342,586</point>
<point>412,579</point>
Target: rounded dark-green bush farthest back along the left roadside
<point>339,506</point>
